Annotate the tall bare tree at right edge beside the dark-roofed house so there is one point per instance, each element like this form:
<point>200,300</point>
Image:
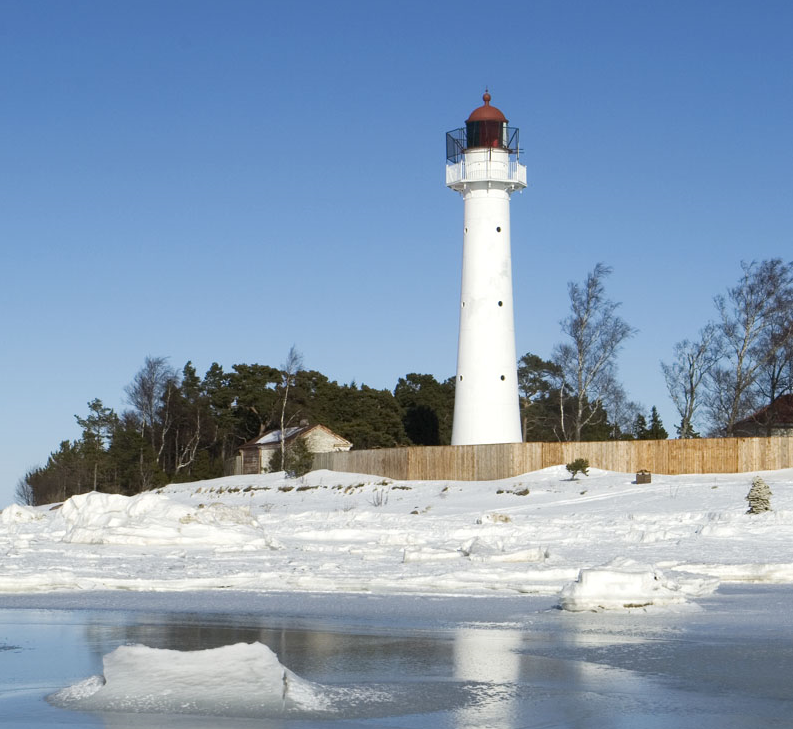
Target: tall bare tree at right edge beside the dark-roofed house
<point>755,327</point>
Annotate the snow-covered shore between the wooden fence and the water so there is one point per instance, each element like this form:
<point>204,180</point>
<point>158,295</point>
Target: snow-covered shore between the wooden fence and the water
<point>598,542</point>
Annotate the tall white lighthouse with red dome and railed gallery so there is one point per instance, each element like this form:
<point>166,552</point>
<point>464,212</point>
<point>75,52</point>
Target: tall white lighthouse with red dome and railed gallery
<point>482,165</point>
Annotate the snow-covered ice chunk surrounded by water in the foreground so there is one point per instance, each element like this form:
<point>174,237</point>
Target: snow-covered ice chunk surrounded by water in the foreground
<point>243,680</point>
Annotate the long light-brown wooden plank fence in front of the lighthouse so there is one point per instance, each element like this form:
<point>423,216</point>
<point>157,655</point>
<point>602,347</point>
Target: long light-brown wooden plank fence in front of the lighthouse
<point>490,462</point>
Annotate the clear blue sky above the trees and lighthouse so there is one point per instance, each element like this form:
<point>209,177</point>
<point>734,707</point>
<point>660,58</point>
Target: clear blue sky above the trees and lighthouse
<point>215,181</point>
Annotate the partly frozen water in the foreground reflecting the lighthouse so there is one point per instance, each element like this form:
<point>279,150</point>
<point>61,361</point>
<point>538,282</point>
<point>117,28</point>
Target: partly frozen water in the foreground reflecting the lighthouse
<point>422,662</point>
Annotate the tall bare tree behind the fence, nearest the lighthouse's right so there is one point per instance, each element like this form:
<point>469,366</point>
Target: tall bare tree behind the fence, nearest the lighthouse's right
<point>588,362</point>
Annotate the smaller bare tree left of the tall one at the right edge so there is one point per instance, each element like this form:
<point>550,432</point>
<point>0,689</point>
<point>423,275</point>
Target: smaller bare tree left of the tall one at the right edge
<point>684,376</point>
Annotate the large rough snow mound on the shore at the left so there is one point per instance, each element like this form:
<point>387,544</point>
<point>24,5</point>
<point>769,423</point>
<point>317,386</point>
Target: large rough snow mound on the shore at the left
<point>154,519</point>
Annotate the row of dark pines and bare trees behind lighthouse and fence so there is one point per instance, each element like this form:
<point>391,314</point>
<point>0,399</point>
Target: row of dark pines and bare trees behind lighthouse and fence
<point>180,426</point>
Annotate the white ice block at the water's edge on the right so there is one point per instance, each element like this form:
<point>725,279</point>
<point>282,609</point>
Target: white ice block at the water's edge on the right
<point>624,583</point>
